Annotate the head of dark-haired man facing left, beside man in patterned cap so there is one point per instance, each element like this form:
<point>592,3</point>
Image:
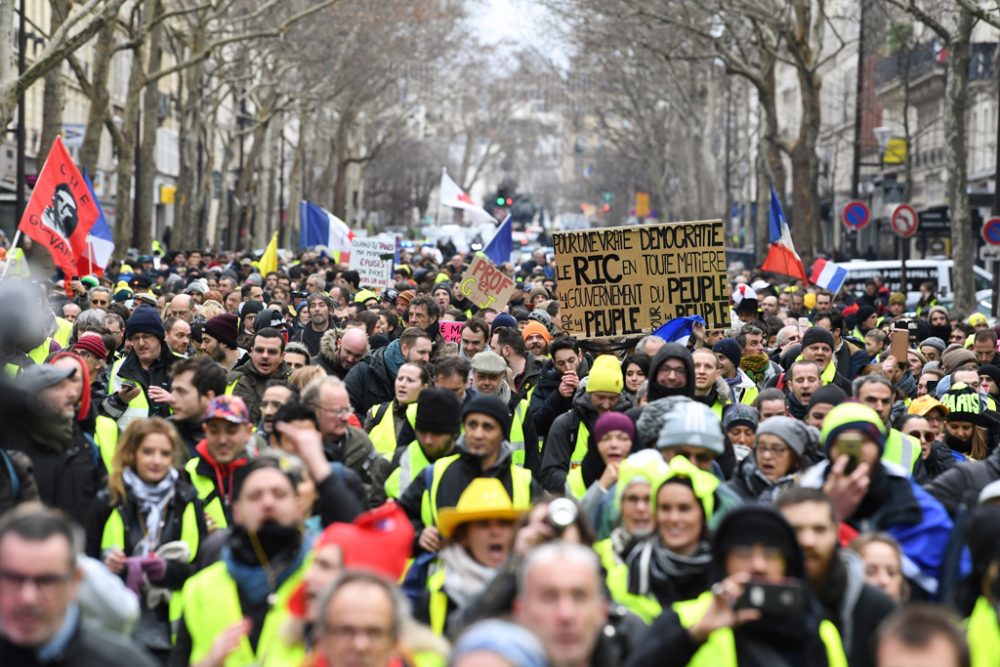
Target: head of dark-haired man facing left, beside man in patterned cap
<point>195,382</point>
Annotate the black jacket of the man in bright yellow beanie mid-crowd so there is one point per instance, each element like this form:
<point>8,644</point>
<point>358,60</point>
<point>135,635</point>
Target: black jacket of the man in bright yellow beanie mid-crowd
<point>559,444</point>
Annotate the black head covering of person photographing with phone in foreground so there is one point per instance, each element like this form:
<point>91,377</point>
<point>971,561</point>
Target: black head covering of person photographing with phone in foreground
<point>756,524</point>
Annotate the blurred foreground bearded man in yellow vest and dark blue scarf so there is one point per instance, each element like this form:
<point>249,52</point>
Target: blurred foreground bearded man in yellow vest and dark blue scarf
<point>244,596</point>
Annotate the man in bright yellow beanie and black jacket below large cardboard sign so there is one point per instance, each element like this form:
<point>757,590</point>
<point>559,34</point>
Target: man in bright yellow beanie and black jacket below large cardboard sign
<point>569,443</point>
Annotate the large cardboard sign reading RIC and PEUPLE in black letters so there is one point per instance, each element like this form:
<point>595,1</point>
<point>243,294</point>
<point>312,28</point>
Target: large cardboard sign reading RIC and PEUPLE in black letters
<point>623,281</point>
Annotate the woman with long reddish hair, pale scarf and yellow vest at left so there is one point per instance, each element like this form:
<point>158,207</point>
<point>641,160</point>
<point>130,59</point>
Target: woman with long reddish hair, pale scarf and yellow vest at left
<point>147,525</point>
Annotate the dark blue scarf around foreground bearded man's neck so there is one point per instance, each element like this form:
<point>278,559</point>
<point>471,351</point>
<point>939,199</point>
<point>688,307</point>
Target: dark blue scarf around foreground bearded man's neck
<point>284,549</point>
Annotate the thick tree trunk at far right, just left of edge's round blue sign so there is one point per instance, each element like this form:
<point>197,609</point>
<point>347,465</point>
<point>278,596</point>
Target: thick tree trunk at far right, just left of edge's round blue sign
<point>955,139</point>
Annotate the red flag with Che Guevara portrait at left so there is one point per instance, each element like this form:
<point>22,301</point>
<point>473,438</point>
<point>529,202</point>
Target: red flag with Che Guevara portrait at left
<point>61,210</point>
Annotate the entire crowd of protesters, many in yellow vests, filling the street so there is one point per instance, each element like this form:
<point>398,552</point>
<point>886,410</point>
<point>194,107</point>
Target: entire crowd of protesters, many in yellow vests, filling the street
<point>203,465</point>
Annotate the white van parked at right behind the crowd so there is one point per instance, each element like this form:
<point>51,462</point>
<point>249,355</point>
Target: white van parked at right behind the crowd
<point>937,271</point>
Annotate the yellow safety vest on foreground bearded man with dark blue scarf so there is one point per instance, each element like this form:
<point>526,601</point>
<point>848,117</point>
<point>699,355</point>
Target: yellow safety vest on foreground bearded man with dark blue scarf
<point>211,604</point>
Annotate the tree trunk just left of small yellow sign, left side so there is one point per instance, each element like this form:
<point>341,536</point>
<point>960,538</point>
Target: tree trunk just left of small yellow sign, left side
<point>146,177</point>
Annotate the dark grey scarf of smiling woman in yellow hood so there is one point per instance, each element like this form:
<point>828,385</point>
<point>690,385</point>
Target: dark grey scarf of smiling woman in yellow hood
<point>655,570</point>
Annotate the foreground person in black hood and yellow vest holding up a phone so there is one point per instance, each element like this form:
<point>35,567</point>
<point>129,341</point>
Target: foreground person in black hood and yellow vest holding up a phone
<point>753,543</point>
